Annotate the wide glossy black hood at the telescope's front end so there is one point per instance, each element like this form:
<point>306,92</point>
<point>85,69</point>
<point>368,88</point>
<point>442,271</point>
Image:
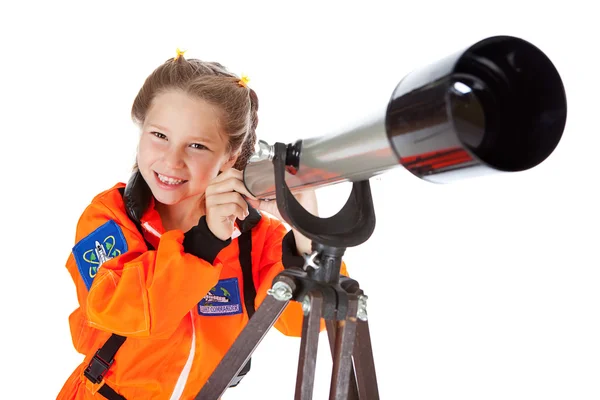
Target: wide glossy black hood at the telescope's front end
<point>498,105</point>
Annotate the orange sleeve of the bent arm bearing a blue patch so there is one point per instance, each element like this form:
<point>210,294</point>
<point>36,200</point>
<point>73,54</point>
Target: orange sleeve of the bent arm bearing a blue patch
<point>134,292</point>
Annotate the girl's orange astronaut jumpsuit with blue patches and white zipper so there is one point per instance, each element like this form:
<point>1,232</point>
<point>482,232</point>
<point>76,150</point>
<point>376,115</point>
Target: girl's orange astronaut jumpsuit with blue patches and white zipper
<point>180,313</point>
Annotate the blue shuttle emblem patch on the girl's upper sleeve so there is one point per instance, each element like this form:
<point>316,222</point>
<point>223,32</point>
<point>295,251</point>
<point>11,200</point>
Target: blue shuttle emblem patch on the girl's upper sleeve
<point>101,245</point>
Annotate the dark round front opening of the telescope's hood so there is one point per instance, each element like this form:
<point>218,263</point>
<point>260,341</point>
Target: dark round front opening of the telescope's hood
<point>523,101</point>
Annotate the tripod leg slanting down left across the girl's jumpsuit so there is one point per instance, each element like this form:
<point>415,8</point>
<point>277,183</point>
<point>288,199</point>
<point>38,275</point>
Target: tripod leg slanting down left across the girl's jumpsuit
<point>242,349</point>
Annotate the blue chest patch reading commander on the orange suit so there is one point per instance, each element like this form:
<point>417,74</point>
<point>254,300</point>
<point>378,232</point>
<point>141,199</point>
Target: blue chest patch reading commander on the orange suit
<point>223,299</point>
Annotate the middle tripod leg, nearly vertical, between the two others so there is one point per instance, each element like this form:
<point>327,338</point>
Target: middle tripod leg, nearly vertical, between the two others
<point>307,361</point>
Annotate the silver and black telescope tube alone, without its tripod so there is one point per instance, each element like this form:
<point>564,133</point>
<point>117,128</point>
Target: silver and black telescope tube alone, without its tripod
<point>496,106</point>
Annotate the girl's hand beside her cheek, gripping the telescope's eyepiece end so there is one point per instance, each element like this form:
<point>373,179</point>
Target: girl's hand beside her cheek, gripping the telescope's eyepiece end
<point>225,203</point>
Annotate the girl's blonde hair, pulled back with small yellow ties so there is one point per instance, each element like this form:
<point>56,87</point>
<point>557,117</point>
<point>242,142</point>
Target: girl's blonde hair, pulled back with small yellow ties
<point>211,82</point>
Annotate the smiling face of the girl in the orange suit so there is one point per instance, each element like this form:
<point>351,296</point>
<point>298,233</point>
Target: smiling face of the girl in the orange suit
<point>182,147</point>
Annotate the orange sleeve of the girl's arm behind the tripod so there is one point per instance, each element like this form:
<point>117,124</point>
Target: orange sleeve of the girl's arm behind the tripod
<point>290,321</point>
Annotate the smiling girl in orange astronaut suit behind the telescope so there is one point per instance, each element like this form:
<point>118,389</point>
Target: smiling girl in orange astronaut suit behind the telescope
<point>156,261</point>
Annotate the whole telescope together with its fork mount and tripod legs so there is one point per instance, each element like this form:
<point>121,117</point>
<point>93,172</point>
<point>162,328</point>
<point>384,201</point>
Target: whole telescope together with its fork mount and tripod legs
<point>498,106</point>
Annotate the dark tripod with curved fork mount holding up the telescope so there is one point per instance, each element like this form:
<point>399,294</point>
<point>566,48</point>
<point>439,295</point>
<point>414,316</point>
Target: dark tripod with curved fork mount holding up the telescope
<point>324,294</point>
